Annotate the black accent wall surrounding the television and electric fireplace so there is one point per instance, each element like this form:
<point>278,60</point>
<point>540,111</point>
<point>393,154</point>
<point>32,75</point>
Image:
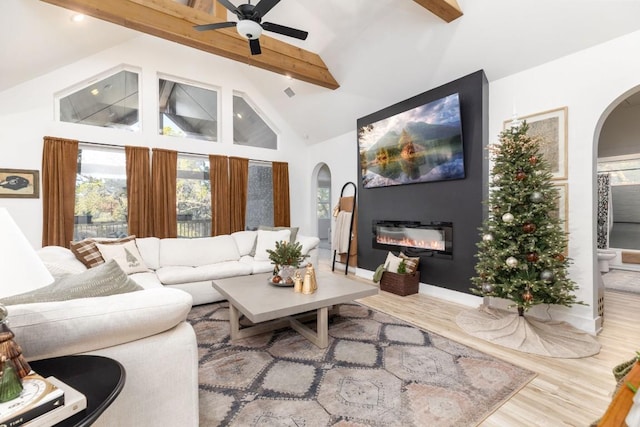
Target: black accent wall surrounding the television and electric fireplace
<point>458,201</point>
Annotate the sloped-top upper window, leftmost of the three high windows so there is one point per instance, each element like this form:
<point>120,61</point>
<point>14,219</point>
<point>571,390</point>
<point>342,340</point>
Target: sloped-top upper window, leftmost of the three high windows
<point>111,102</point>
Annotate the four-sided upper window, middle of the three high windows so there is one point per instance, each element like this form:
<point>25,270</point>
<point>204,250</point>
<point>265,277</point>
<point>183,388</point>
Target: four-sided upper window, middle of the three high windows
<point>188,111</point>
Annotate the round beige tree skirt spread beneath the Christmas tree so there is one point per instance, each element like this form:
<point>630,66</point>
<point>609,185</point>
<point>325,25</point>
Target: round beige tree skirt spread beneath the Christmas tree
<point>527,334</point>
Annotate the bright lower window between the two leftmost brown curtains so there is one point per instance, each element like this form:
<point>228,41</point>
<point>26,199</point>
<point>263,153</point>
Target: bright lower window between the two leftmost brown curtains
<point>101,194</point>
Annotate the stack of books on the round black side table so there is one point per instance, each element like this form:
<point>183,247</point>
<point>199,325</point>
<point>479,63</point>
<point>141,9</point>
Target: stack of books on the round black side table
<point>43,402</point>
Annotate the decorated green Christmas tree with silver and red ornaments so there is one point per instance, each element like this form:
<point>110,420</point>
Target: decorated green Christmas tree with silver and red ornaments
<point>521,256</point>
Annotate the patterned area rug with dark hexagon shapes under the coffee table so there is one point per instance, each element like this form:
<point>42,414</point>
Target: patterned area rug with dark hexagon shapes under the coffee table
<point>376,371</point>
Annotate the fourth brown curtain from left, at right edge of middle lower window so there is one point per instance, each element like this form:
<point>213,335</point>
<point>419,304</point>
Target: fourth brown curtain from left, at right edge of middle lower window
<point>220,206</point>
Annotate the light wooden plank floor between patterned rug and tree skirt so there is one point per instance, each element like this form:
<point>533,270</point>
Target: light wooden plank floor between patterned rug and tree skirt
<point>565,392</point>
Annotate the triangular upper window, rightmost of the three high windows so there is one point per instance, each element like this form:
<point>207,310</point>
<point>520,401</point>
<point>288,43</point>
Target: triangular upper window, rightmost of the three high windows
<point>249,128</point>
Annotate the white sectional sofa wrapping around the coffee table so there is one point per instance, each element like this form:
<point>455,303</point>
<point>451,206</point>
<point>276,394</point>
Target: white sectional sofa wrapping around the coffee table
<point>145,330</point>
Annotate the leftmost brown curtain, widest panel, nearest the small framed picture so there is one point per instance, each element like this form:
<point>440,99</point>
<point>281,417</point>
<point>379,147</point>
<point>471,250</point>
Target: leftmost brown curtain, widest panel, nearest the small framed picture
<point>59,168</point>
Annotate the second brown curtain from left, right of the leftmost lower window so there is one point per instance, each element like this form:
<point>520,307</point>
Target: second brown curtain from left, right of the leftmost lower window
<point>138,191</point>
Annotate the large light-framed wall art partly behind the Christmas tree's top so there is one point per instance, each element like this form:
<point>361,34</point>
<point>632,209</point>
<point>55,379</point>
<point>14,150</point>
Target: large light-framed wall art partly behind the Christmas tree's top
<point>551,127</point>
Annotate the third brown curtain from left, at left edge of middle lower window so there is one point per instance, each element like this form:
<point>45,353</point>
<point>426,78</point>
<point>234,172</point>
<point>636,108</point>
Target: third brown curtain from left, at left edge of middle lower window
<point>164,173</point>
